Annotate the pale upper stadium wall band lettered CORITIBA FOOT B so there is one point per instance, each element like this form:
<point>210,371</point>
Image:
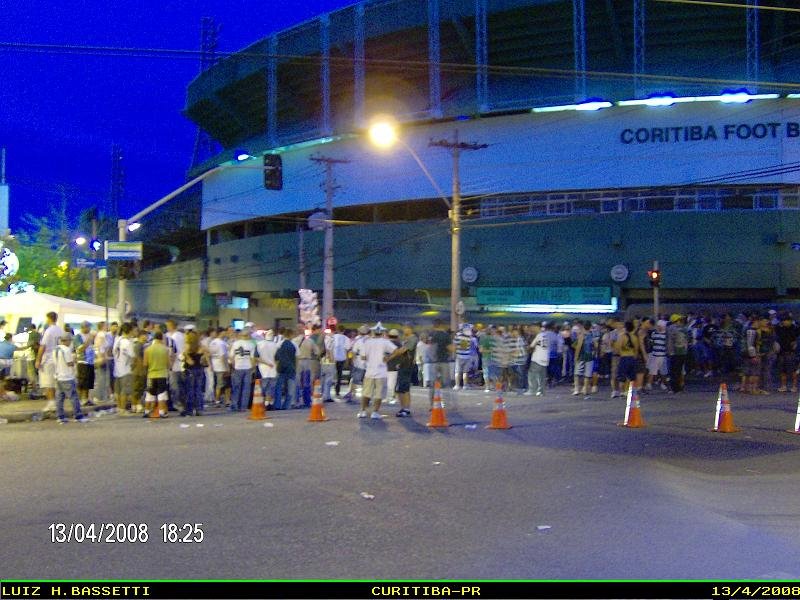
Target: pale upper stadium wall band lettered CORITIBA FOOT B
<point>619,147</point>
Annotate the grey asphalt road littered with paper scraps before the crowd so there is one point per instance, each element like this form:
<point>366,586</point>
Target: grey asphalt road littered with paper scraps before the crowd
<point>563,494</point>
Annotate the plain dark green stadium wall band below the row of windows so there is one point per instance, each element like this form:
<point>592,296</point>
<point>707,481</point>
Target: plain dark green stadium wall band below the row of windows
<point>743,252</point>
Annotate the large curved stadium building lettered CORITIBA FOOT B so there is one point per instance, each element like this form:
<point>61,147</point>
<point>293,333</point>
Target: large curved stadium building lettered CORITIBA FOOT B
<point>616,133</point>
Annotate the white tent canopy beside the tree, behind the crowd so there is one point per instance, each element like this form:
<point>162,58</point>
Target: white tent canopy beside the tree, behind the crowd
<point>31,307</point>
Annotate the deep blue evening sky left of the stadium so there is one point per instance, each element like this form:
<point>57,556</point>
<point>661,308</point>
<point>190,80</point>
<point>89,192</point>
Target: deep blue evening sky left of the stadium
<point>60,113</point>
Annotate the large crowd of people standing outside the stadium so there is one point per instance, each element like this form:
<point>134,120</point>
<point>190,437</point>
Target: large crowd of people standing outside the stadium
<point>153,369</point>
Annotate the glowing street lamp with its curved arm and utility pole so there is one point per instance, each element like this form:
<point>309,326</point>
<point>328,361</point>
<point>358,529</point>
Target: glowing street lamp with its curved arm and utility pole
<point>383,133</point>
